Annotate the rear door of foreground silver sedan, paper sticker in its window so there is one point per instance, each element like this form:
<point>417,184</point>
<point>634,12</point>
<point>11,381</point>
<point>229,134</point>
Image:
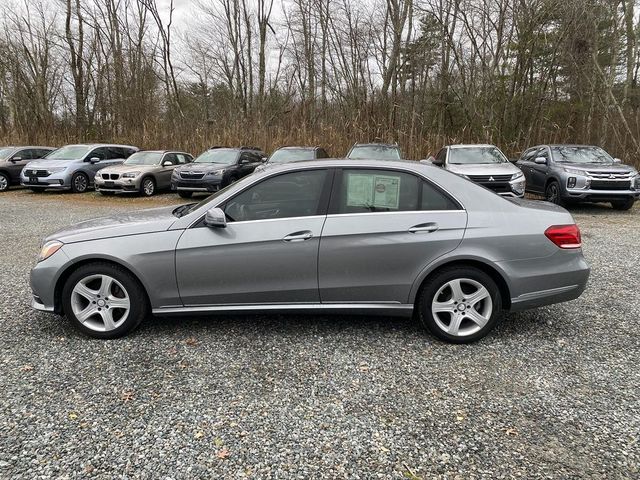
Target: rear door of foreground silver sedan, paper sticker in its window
<point>384,227</point>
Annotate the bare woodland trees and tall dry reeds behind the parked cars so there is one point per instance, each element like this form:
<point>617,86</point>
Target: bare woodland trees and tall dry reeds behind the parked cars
<point>422,73</point>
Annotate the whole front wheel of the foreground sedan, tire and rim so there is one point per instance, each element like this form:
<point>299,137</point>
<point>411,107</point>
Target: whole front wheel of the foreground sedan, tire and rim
<point>90,296</point>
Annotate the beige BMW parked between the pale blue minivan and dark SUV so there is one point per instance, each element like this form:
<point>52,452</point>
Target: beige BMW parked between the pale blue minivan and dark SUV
<point>143,172</point>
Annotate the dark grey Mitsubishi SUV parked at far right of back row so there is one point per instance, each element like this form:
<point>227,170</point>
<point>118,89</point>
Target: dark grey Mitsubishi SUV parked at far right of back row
<point>567,174</point>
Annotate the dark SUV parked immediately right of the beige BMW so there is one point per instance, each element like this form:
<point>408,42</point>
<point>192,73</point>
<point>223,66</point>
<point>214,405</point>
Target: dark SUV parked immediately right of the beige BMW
<point>216,168</point>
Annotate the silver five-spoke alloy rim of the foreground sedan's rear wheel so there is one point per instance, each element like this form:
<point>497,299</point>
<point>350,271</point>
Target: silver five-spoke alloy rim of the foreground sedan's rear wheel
<point>462,307</point>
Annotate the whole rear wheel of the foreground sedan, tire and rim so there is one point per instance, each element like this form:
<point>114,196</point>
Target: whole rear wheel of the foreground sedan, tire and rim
<point>439,304</point>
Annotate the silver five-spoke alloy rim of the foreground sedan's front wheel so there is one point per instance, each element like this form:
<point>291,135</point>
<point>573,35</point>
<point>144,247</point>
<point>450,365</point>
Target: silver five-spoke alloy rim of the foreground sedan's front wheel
<point>100,303</point>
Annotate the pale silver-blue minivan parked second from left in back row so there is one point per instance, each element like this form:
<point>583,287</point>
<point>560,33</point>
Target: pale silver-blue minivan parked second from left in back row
<point>73,167</point>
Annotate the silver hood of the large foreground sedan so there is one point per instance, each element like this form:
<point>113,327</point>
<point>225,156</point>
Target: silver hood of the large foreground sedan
<point>134,223</point>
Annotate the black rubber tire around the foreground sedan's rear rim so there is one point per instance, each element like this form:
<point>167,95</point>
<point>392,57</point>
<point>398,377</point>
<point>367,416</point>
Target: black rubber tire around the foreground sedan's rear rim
<point>446,275</point>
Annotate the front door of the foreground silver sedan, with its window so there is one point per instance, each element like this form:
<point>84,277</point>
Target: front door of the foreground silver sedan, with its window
<point>268,253</point>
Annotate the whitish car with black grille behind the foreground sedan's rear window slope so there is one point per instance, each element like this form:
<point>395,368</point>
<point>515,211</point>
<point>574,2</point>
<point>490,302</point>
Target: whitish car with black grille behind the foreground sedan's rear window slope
<point>483,164</point>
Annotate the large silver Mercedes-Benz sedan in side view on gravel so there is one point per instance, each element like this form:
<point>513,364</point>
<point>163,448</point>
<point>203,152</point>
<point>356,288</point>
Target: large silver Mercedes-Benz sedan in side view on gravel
<point>356,236</point>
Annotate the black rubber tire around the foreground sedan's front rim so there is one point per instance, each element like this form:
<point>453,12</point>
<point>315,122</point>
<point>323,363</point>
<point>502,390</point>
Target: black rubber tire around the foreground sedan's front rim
<point>138,298</point>
